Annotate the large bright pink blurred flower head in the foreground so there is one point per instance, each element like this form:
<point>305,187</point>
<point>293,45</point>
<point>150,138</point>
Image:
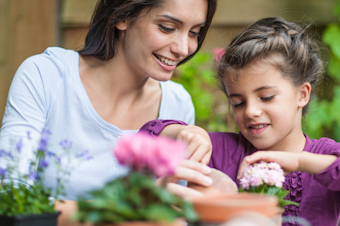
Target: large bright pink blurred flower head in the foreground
<point>144,152</point>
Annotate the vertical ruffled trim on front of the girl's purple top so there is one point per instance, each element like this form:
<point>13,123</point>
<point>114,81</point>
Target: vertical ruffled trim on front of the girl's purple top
<point>293,183</point>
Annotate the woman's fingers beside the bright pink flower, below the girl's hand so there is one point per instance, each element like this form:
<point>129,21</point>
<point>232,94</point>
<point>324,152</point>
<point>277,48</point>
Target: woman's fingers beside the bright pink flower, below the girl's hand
<point>191,171</point>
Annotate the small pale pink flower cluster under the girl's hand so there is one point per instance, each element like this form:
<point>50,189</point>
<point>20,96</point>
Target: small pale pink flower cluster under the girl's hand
<point>262,173</point>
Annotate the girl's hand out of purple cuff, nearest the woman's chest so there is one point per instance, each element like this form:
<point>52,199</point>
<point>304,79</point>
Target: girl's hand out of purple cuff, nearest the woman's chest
<point>199,144</point>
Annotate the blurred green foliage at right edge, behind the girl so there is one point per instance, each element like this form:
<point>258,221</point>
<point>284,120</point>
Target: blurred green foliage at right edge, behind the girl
<point>324,118</point>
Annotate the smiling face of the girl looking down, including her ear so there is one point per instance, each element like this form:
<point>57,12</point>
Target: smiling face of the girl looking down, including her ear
<point>267,107</point>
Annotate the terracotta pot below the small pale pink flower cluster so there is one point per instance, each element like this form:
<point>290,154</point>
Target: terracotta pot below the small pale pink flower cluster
<point>221,208</point>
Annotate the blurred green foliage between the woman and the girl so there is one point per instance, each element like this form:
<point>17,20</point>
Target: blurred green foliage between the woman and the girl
<point>211,105</point>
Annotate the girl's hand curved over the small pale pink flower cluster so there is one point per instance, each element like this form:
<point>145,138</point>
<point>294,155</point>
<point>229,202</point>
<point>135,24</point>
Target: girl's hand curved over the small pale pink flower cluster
<point>289,161</point>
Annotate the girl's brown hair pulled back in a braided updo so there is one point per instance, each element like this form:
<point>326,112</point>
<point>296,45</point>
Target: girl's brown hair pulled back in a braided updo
<point>266,38</point>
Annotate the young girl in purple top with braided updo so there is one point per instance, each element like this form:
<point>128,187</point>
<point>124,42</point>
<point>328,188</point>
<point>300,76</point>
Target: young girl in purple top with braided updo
<point>267,73</point>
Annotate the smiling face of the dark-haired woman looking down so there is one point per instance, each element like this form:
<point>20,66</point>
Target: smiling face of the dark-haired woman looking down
<point>160,38</point>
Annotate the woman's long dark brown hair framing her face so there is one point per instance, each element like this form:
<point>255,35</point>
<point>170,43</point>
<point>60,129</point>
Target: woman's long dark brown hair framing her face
<point>102,36</point>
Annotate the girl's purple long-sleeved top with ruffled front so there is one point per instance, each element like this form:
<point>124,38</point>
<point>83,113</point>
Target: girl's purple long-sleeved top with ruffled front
<point>318,195</point>
